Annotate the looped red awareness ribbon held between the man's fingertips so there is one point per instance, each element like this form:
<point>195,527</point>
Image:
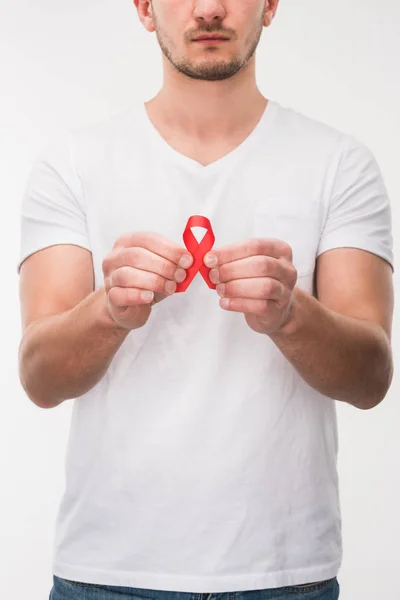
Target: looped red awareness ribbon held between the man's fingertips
<point>198,252</point>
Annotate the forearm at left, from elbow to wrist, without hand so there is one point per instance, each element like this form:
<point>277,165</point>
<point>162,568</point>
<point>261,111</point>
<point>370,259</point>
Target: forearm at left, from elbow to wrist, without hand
<point>63,356</point>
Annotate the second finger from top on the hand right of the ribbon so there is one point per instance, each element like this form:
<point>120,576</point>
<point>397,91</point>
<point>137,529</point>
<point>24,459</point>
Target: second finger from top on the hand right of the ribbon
<point>254,266</point>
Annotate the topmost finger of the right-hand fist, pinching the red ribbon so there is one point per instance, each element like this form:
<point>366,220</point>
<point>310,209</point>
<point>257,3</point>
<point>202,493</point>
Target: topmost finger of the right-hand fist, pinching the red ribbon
<point>252,247</point>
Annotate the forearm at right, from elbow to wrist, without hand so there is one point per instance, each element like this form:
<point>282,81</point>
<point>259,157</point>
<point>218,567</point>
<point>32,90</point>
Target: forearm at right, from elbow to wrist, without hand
<point>342,357</point>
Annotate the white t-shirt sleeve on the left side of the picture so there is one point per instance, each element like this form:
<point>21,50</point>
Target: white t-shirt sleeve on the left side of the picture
<point>52,209</point>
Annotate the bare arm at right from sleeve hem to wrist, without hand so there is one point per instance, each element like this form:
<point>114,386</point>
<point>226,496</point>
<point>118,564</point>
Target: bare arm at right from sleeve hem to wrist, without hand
<point>340,343</point>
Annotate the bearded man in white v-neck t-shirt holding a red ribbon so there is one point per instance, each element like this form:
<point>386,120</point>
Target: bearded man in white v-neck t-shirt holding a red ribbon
<point>202,453</point>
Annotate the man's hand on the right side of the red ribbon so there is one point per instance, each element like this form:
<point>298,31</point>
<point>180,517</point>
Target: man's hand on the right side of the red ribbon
<point>257,278</point>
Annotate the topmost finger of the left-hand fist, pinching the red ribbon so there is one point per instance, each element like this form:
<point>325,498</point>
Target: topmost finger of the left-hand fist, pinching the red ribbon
<point>157,244</point>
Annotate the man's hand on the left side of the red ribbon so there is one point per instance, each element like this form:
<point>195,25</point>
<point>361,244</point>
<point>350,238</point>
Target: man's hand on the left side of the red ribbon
<point>139,264</point>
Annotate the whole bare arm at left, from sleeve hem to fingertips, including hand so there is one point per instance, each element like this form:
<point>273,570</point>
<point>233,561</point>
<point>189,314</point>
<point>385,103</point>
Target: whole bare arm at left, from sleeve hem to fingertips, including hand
<point>72,333</point>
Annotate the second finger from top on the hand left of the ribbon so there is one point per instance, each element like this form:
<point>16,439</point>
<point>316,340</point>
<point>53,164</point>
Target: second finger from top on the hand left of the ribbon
<point>143,259</point>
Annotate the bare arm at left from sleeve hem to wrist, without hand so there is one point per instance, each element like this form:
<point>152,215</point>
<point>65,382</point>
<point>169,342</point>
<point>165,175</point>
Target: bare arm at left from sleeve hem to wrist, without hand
<point>69,338</point>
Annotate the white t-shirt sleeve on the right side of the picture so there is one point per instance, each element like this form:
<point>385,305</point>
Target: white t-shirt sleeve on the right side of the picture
<point>359,214</point>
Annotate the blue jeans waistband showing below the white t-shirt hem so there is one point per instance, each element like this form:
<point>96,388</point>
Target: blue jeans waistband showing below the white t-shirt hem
<point>72,590</point>
